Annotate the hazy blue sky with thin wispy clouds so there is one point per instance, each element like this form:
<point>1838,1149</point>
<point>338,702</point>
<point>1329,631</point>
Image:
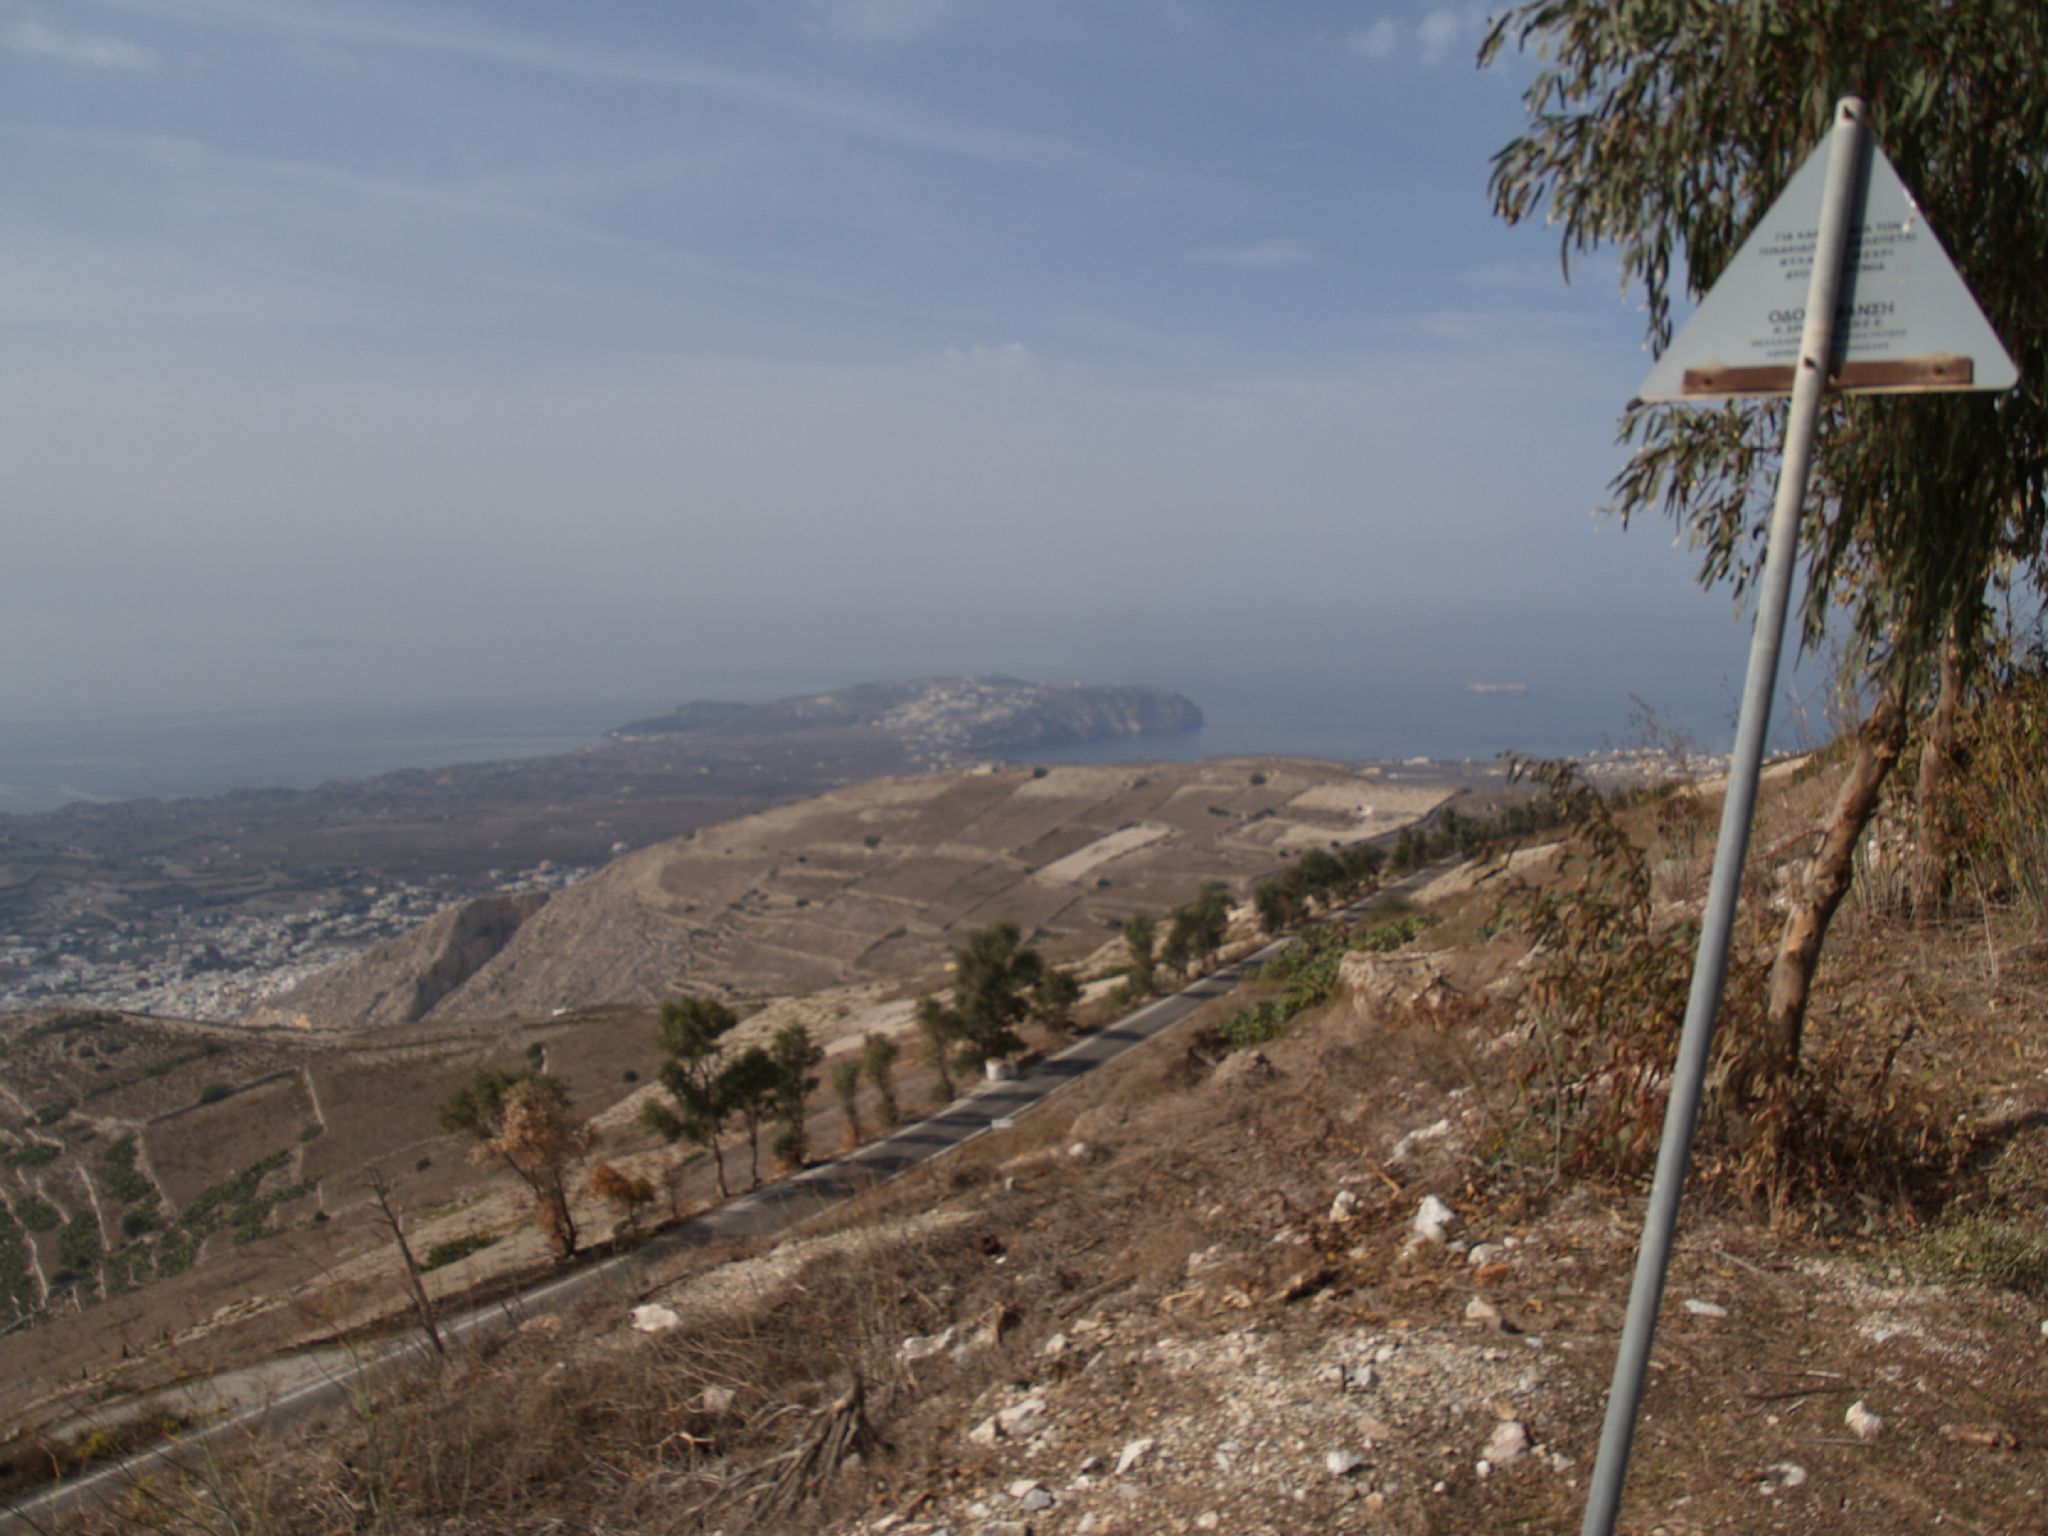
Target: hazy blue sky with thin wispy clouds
<point>509,351</point>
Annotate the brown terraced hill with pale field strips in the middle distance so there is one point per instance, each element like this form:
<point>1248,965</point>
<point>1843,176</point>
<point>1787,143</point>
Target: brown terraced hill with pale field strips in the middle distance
<point>871,882</point>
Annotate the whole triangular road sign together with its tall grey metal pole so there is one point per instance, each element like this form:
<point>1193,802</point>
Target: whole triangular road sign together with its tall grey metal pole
<point>1885,312</point>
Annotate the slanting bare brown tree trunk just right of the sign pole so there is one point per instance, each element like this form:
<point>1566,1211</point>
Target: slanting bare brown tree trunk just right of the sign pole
<point>1879,744</point>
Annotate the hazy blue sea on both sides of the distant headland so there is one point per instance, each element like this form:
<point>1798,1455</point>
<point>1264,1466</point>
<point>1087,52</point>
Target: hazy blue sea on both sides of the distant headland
<point>1373,714</point>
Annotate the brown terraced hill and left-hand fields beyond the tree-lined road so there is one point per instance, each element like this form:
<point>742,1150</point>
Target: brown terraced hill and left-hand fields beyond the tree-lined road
<point>181,1197</point>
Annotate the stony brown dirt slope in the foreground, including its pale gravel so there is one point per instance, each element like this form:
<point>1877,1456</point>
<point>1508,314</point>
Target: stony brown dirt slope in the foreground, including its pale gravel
<point>1203,1291</point>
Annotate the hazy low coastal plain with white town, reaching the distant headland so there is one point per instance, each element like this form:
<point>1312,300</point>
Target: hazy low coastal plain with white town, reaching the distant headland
<point>206,906</point>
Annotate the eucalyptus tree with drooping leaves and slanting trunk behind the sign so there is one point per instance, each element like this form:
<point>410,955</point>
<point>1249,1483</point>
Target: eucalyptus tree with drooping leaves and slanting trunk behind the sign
<point>1660,132</point>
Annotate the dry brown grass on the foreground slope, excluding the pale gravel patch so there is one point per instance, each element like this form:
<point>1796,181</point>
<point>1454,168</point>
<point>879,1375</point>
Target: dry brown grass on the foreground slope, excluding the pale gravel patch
<point>1924,1154</point>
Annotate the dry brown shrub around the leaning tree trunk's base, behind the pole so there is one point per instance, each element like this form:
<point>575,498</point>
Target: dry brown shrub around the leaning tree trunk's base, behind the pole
<point>1601,1027</point>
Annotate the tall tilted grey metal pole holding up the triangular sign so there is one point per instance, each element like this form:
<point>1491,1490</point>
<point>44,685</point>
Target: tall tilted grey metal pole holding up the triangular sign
<point>1689,1078</point>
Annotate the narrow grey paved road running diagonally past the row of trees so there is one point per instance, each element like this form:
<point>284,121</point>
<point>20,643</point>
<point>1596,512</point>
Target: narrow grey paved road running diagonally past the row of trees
<point>767,1211</point>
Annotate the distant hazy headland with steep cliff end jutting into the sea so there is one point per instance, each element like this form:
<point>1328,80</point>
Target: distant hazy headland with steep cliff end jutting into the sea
<point>953,716</point>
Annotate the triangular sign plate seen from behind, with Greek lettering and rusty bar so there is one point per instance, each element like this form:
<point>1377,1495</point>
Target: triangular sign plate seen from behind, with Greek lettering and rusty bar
<point>1906,321</point>
